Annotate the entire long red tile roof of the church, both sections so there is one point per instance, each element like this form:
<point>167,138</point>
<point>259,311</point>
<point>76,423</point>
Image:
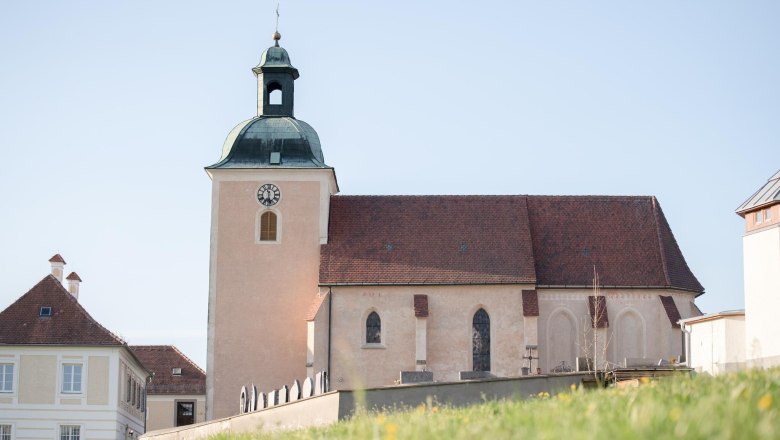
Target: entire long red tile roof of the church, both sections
<point>550,240</point>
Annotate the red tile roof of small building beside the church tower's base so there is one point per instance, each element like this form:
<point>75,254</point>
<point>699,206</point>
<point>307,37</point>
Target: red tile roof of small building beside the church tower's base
<point>161,360</point>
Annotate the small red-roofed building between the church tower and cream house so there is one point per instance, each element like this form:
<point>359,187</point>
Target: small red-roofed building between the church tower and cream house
<point>176,393</point>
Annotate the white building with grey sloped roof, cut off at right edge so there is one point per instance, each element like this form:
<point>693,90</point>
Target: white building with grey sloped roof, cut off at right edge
<point>761,249</point>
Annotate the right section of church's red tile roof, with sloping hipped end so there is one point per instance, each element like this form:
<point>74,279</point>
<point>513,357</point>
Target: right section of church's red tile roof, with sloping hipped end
<point>627,239</point>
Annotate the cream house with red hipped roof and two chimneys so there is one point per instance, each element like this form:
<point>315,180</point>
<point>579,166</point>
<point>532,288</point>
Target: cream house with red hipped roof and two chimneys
<point>62,374</point>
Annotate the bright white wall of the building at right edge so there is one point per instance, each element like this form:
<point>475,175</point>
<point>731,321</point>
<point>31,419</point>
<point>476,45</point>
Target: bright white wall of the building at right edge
<point>762,295</point>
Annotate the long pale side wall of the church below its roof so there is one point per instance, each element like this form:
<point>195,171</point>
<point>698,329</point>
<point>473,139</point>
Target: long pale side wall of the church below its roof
<point>639,327</point>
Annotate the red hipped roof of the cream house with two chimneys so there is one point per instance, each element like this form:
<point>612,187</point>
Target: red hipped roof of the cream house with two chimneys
<point>69,323</point>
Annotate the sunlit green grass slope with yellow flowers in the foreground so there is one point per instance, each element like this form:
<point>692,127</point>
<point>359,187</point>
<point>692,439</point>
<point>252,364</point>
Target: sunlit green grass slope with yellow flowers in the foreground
<point>745,405</point>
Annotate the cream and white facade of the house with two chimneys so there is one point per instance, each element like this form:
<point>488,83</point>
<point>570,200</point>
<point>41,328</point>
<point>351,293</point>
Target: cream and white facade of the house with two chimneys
<point>43,420</point>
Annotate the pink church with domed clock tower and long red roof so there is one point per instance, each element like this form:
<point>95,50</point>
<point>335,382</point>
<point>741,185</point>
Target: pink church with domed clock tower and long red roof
<point>366,287</point>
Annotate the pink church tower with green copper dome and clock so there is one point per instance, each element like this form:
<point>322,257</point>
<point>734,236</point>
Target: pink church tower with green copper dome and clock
<point>270,199</point>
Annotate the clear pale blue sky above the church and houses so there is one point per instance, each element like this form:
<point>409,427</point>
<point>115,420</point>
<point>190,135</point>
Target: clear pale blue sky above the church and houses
<point>110,110</point>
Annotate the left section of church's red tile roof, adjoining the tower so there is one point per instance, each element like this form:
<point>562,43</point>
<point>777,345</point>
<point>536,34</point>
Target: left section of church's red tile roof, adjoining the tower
<point>427,240</point>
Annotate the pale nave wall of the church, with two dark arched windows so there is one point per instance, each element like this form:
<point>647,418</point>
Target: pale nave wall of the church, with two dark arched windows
<point>449,338</point>
